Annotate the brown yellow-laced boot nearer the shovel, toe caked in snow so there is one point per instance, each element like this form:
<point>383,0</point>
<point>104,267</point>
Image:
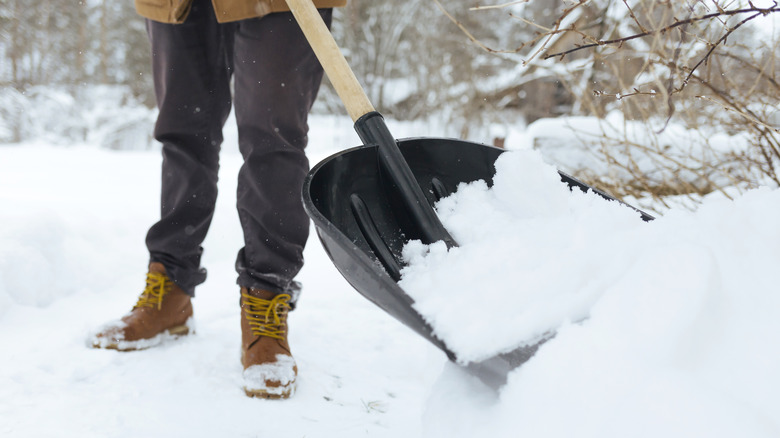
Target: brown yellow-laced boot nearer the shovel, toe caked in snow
<point>269,368</point>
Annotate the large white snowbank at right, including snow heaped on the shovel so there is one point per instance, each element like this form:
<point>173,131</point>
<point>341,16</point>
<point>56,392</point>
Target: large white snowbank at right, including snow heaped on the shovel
<point>665,328</point>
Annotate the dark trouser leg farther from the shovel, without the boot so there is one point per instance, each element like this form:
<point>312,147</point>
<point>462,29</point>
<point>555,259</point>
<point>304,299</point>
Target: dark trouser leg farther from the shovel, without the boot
<point>192,68</point>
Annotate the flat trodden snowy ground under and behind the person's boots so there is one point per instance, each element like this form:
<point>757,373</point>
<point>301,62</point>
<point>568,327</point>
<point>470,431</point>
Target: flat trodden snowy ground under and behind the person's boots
<point>72,224</point>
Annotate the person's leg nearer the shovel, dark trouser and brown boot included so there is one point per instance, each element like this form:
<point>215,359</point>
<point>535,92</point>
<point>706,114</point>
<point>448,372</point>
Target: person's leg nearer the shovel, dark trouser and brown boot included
<point>277,78</point>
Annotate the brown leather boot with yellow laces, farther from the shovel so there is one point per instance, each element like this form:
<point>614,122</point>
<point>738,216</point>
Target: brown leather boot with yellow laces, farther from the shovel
<point>163,312</point>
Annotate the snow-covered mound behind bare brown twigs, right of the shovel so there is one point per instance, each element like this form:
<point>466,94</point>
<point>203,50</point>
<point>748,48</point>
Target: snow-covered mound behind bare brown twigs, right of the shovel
<point>630,160</point>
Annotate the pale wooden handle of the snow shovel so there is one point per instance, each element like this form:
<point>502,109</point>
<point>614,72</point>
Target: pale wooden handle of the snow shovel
<point>331,58</point>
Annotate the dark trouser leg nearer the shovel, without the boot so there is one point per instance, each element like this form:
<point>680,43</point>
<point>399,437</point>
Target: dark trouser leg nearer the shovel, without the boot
<point>277,77</point>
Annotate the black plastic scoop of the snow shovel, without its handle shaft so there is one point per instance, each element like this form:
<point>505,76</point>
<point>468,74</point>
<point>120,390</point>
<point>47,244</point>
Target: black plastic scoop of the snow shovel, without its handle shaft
<point>363,229</point>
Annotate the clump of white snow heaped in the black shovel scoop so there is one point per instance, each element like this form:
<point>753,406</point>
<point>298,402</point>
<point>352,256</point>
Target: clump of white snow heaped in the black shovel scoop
<point>517,240</point>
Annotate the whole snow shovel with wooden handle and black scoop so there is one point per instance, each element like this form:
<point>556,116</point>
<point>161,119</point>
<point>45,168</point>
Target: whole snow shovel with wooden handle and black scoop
<point>367,202</point>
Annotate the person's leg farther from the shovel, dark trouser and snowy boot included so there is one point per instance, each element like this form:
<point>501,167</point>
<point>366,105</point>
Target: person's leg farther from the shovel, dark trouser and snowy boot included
<point>191,71</point>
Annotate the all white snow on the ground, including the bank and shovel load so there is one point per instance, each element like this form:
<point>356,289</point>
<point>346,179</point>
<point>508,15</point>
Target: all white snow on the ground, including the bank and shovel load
<point>679,337</point>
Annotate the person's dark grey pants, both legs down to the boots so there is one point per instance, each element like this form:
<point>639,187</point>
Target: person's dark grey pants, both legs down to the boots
<point>276,81</point>
